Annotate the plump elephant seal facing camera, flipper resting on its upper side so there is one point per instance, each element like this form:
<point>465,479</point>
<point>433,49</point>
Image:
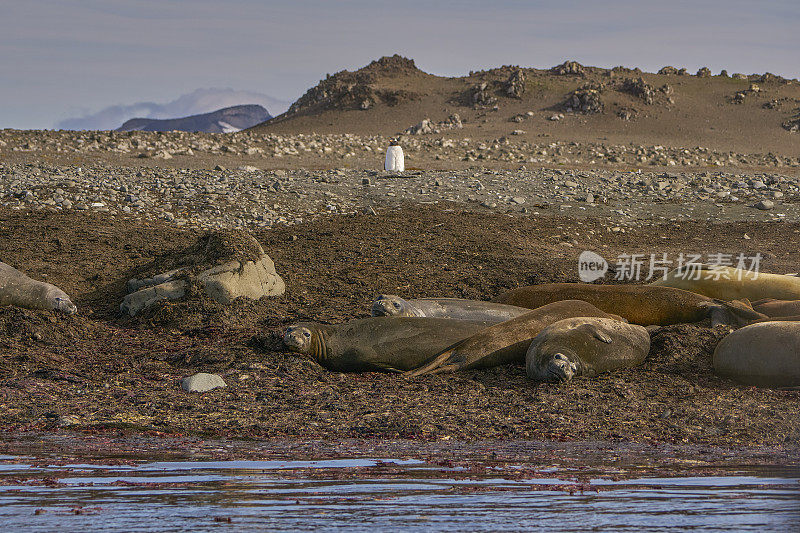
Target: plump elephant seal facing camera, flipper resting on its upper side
<point>585,347</point>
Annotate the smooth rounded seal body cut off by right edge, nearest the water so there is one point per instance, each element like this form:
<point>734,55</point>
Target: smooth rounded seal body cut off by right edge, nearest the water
<point>764,355</point>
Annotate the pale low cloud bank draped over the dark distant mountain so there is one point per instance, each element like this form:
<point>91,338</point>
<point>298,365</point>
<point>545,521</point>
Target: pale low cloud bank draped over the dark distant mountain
<point>194,103</point>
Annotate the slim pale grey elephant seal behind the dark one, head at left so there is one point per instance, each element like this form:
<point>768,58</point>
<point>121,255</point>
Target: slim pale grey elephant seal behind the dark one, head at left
<point>455,308</point>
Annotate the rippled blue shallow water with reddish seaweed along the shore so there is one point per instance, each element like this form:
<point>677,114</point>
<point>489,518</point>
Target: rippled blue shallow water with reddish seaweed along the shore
<point>374,494</point>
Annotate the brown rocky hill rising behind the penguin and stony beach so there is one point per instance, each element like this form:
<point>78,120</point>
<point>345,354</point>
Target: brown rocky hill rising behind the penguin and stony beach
<point>569,102</point>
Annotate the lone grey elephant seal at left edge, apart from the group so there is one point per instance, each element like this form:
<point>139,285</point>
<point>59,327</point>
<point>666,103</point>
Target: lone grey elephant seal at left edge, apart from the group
<point>18,289</point>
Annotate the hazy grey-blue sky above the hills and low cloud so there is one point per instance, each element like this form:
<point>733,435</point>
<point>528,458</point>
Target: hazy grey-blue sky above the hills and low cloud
<point>65,58</point>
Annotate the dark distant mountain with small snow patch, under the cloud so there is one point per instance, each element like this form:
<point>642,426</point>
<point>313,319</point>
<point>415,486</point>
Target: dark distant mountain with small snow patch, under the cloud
<point>226,120</point>
